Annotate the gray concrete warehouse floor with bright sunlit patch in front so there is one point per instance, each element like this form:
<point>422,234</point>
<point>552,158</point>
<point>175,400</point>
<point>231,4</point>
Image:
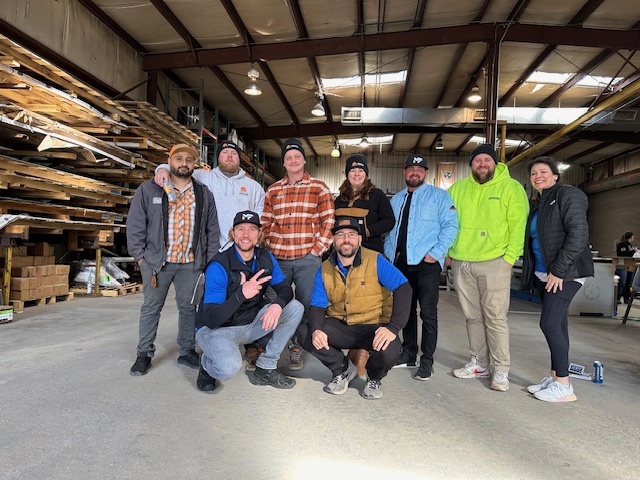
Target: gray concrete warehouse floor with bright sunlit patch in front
<point>70,410</point>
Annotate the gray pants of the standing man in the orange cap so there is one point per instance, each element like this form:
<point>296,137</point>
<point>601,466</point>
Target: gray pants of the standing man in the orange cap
<point>184,278</point>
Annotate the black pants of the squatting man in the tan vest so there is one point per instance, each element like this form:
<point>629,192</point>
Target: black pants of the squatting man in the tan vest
<point>343,336</point>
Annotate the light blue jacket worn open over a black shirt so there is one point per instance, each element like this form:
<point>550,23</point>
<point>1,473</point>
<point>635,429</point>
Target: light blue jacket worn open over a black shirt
<point>433,224</point>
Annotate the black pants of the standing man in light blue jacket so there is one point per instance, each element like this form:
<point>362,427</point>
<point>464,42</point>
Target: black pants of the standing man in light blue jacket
<point>424,279</point>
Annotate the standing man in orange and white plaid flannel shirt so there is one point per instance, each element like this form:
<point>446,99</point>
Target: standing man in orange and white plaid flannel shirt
<point>296,221</point>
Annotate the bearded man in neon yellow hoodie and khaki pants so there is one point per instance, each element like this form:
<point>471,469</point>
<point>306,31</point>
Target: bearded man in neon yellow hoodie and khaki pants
<point>492,215</point>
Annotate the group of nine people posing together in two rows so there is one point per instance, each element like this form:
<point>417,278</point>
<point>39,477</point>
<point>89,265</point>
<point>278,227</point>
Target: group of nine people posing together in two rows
<point>253,263</point>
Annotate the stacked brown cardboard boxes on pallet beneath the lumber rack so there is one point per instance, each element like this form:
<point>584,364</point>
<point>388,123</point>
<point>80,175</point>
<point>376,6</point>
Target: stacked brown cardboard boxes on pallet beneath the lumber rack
<point>34,274</point>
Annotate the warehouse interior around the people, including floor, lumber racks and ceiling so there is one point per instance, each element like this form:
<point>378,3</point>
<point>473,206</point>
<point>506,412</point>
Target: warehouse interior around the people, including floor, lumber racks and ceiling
<point>93,94</point>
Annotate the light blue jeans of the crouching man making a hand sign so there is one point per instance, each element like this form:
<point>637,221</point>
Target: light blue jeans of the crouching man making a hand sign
<point>221,356</point>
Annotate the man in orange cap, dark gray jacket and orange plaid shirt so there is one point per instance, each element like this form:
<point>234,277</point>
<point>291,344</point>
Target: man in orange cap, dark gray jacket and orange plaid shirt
<point>172,233</point>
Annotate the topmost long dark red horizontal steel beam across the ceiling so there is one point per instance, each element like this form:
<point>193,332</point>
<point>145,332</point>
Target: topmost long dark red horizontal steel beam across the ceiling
<point>545,34</point>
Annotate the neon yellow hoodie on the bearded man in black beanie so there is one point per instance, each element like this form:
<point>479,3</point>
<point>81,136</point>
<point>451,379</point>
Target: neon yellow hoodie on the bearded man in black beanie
<point>492,218</point>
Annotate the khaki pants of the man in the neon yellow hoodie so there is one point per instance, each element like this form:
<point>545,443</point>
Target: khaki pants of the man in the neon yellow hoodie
<point>484,290</point>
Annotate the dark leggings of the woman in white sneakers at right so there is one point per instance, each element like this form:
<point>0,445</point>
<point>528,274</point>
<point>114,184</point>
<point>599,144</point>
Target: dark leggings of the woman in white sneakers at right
<point>555,324</point>
